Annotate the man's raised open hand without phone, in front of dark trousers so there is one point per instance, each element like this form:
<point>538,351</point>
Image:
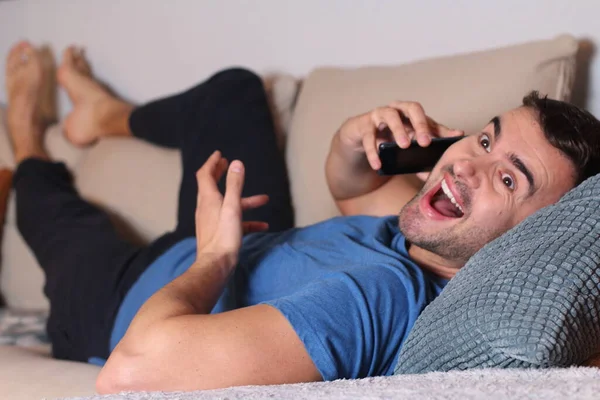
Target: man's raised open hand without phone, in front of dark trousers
<point>219,226</point>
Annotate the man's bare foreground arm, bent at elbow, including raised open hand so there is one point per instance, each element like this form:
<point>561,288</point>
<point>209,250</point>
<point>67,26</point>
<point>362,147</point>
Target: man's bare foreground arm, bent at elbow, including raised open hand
<point>175,343</point>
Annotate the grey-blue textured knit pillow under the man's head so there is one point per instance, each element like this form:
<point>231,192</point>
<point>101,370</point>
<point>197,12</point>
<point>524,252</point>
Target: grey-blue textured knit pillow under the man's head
<point>529,299</point>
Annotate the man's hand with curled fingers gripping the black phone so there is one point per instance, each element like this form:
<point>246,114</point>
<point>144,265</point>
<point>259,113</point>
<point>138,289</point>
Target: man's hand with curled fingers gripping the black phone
<point>405,120</point>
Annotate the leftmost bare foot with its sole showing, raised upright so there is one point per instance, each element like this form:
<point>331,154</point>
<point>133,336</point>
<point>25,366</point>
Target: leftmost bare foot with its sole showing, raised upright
<point>24,80</point>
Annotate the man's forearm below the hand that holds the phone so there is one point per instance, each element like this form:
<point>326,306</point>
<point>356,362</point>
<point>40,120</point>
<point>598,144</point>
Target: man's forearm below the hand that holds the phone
<point>348,172</point>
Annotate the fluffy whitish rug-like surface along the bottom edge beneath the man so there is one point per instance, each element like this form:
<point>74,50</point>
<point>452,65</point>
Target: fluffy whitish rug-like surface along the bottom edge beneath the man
<point>581,383</point>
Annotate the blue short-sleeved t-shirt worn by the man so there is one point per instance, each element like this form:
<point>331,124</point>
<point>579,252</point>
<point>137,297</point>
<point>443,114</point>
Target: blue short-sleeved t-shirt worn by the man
<point>347,286</point>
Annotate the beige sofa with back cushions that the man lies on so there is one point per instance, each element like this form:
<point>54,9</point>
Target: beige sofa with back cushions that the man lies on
<point>463,91</point>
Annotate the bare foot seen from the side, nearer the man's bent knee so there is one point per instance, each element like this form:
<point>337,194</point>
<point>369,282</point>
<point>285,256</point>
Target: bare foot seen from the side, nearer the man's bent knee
<point>96,112</point>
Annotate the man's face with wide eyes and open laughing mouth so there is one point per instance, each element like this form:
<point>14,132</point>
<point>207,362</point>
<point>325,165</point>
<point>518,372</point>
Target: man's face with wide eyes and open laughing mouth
<point>496,177</point>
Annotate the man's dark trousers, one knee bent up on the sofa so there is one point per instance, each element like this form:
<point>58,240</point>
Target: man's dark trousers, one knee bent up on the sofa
<point>88,267</point>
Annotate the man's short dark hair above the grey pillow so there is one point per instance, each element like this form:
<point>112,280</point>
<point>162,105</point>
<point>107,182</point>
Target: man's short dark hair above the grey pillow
<point>572,130</point>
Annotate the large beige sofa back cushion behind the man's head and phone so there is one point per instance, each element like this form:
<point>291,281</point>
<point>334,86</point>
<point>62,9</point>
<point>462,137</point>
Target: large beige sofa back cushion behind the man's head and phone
<point>462,91</point>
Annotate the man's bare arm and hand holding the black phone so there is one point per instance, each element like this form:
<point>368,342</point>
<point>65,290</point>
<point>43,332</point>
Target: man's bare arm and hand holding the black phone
<point>353,157</point>
